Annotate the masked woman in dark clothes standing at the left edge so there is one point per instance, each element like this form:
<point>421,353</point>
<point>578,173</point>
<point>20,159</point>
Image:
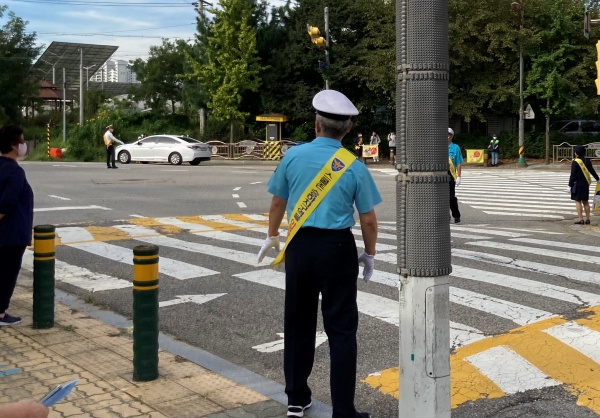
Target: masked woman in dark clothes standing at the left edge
<point>16,216</point>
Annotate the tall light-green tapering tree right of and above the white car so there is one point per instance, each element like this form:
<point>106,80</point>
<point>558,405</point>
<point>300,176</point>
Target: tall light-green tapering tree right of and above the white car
<point>232,65</point>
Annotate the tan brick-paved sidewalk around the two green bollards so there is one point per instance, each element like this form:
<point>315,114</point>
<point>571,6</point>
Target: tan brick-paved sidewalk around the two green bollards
<point>32,362</point>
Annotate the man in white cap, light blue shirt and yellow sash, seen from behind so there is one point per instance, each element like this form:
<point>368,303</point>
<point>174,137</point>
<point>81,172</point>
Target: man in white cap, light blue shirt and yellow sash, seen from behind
<point>319,184</point>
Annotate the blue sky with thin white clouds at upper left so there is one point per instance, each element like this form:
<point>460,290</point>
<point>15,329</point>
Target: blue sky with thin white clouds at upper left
<point>132,28</point>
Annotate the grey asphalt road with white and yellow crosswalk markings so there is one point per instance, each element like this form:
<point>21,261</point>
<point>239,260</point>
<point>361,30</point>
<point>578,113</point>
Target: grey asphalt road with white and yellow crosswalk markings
<point>168,200</point>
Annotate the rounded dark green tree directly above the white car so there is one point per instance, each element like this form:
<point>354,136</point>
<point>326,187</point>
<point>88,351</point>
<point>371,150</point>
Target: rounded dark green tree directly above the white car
<point>159,76</point>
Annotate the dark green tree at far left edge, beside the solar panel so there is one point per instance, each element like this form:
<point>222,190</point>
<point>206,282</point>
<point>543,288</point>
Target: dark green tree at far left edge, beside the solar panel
<point>17,52</point>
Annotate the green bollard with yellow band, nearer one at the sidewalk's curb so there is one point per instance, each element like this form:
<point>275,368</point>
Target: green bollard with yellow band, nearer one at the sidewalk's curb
<point>145,313</point>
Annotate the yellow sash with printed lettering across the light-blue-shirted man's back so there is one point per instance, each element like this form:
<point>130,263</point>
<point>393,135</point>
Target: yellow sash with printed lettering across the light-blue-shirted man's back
<point>315,193</point>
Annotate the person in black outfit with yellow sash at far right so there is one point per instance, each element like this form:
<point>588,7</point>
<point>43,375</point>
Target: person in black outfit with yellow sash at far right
<point>582,171</point>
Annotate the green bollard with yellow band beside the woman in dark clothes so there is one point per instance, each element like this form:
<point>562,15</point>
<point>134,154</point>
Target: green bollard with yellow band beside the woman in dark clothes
<point>43,276</point>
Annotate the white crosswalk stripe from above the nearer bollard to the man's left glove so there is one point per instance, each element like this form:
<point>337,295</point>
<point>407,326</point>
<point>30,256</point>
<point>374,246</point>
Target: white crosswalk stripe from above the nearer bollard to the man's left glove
<point>210,250</point>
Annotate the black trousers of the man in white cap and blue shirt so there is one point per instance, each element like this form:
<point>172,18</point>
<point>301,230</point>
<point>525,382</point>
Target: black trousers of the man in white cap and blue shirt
<point>326,262</point>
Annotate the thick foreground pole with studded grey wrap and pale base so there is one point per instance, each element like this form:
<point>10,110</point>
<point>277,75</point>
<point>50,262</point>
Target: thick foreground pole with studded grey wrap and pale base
<point>422,192</point>
